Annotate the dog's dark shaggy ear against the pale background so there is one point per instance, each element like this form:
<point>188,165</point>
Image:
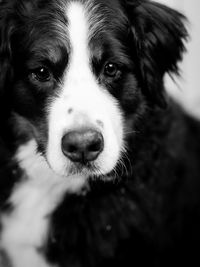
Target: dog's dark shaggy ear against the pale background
<point>159,34</point>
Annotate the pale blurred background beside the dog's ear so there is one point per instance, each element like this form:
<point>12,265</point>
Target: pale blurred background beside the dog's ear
<point>186,89</point>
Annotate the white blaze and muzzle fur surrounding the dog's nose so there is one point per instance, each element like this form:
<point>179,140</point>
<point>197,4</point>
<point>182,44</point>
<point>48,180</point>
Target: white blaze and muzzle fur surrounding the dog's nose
<point>83,103</point>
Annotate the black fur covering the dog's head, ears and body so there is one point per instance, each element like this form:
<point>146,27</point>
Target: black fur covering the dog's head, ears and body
<point>150,215</point>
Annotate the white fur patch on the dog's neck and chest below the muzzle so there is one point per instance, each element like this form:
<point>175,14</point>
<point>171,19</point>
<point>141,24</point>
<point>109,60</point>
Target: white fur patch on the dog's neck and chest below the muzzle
<point>24,230</point>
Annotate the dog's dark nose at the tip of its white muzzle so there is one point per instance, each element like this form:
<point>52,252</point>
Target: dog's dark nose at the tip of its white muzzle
<point>83,145</point>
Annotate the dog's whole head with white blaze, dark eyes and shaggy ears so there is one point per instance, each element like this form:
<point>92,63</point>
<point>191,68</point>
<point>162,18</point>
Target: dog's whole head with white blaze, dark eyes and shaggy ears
<point>77,71</point>
